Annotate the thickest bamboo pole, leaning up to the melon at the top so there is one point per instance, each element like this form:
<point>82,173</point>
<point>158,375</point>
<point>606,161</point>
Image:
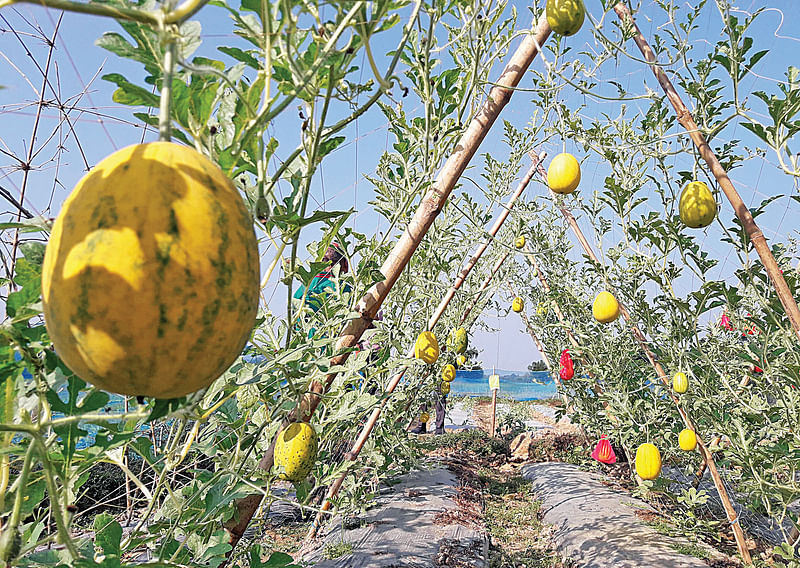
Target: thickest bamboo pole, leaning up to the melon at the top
<point>398,258</point>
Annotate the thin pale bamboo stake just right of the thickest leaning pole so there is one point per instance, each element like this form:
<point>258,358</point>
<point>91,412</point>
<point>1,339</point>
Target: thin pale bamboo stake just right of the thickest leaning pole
<point>354,452</point>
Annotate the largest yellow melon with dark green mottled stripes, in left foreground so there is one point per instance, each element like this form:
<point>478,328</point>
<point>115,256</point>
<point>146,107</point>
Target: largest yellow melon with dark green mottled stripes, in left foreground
<point>151,277</point>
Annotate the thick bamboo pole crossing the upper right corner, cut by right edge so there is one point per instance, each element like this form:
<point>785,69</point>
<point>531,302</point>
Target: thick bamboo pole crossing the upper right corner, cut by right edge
<point>739,207</point>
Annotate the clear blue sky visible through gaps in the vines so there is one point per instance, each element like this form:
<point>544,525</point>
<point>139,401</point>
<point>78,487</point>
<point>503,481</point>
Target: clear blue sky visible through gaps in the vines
<point>102,126</point>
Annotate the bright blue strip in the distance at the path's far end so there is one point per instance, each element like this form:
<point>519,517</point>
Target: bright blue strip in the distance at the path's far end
<point>519,385</point>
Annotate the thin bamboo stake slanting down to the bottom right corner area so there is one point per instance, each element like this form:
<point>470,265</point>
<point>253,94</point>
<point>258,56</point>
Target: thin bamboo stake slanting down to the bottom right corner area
<point>733,518</point>
